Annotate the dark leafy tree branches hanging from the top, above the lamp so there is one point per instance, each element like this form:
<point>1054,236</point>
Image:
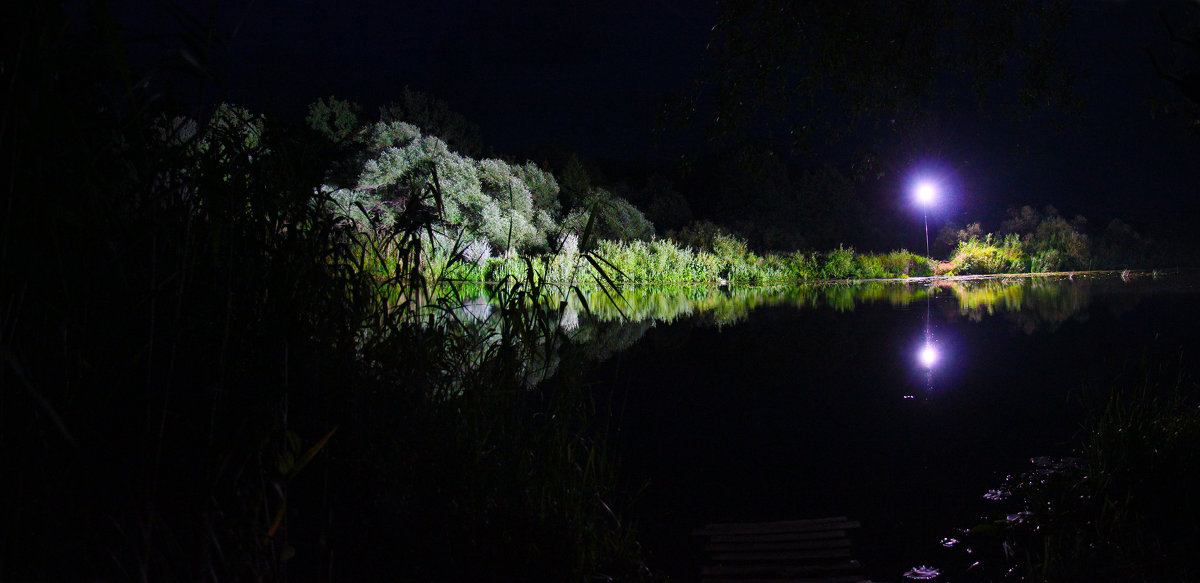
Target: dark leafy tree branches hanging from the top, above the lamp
<point>812,71</point>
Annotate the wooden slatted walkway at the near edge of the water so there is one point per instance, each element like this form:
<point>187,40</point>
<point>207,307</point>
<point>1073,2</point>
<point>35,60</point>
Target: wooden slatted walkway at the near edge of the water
<point>813,551</point>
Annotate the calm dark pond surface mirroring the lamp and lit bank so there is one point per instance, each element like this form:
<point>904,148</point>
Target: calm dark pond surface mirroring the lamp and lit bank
<point>781,405</point>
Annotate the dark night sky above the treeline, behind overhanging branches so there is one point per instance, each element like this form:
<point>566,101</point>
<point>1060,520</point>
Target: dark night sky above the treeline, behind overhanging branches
<point>591,77</point>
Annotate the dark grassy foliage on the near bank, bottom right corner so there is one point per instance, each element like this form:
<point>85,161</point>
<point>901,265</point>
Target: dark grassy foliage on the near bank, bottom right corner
<point>1126,509</point>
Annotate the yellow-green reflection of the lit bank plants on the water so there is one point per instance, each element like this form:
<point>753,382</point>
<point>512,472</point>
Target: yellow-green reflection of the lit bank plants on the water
<point>607,326</point>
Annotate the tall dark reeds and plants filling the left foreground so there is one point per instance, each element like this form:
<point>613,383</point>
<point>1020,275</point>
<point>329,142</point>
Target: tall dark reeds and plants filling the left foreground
<point>206,376</point>
